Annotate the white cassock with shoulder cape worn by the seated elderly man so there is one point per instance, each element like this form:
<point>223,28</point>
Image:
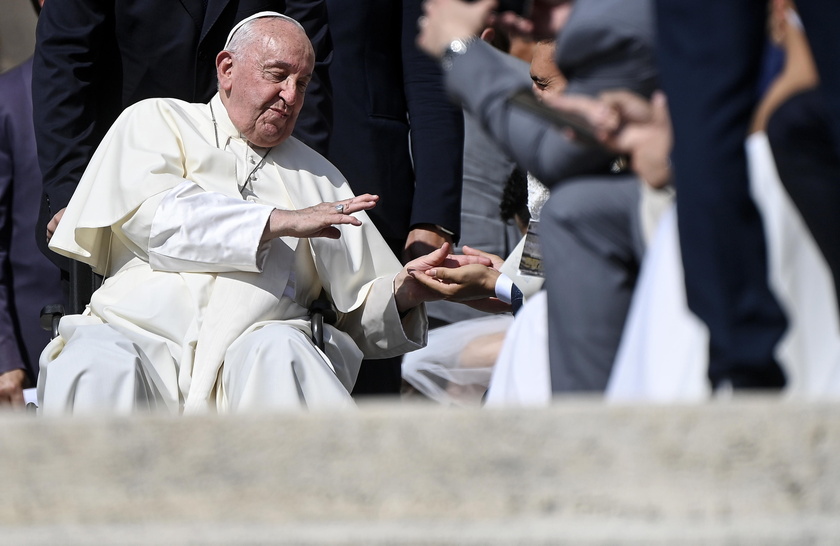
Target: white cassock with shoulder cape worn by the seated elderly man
<point>195,313</point>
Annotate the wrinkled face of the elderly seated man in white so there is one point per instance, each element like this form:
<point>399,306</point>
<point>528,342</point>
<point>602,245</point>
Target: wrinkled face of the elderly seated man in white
<point>263,84</point>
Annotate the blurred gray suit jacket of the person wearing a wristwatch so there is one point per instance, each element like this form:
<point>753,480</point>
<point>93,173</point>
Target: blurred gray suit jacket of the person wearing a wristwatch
<point>606,44</point>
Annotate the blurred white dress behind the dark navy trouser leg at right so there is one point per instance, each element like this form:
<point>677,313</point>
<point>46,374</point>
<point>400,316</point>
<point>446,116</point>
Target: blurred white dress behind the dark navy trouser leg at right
<point>664,351</point>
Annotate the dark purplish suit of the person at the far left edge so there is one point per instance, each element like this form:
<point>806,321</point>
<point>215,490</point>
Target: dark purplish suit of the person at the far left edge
<point>28,281</point>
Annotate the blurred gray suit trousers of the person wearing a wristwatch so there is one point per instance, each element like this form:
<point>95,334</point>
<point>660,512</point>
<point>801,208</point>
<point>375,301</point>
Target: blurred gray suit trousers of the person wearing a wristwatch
<point>592,245</point>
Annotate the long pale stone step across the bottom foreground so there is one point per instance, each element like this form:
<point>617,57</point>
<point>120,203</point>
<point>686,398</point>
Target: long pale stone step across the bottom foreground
<point>746,471</point>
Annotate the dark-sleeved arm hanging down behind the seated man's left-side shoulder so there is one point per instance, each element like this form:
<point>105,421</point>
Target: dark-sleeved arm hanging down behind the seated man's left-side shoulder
<point>74,47</point>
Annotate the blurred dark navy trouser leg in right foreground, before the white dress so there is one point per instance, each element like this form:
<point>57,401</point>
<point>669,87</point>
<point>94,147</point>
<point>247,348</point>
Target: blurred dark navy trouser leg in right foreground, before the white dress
<point>710,56</point>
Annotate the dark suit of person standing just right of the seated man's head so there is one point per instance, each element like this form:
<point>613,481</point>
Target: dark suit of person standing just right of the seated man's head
<point>380,80</point>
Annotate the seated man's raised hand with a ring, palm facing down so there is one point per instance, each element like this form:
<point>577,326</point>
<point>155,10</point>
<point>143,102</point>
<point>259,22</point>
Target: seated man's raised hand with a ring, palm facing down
<point>319,220</point>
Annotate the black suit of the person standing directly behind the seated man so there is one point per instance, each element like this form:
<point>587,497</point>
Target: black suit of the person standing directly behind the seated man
<point>94,58</point>
